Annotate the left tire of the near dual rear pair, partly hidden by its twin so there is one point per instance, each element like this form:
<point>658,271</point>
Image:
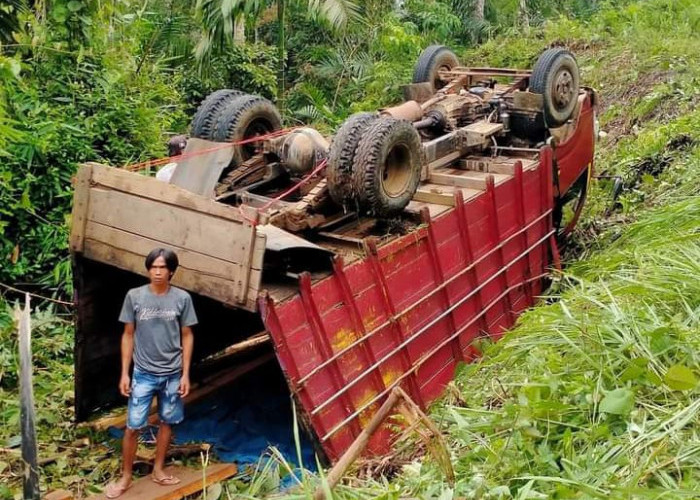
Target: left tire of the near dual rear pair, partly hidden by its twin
<point>341,156</point>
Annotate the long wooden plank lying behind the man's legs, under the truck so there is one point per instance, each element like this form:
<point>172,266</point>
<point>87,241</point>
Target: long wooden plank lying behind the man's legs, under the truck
<point>199,391</point>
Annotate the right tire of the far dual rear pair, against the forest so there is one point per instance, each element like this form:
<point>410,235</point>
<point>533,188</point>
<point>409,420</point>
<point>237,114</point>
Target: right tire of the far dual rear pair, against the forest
<point>244,117</point>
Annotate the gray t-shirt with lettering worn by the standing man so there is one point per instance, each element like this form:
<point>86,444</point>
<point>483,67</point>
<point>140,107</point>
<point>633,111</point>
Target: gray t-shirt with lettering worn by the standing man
<point>158,320</point>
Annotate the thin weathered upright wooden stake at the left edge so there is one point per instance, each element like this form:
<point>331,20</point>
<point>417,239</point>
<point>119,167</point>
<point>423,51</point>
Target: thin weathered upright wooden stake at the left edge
<point>27,425</point>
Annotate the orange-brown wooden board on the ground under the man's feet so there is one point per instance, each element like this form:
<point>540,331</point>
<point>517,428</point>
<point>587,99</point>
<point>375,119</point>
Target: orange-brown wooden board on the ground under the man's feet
<point>191,481</point>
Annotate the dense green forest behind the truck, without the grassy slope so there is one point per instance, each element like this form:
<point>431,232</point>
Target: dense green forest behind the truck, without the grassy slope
<point>110,80</point>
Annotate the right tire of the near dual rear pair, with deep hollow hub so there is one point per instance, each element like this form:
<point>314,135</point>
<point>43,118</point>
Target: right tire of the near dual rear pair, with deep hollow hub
<point>387,167</point>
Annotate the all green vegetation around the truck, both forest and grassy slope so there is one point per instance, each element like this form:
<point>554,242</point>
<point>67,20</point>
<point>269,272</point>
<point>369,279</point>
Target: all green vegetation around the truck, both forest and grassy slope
<point>593,395</point>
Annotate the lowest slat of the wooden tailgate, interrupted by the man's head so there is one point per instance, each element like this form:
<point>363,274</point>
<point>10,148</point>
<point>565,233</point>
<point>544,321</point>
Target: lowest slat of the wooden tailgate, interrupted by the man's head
<point>216,288</point>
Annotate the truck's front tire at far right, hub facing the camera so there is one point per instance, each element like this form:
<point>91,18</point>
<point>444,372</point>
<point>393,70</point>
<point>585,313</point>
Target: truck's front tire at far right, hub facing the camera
<point>556,77</point>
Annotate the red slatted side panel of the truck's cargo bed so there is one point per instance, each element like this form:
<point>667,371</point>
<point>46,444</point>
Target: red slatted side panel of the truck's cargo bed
<point>410,311</point>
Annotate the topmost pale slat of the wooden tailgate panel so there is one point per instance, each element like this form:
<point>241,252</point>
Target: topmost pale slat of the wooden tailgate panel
<point>153,189</point>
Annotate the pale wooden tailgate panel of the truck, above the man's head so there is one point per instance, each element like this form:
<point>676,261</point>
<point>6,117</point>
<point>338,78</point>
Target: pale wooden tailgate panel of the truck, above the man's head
<point>119,217</point>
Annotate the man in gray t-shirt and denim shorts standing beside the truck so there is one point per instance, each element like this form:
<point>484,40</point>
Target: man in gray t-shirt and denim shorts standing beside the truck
<point>158,337</point>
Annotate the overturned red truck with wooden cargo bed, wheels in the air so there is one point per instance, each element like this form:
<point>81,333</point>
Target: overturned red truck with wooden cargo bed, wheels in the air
<point>364,262</point>
